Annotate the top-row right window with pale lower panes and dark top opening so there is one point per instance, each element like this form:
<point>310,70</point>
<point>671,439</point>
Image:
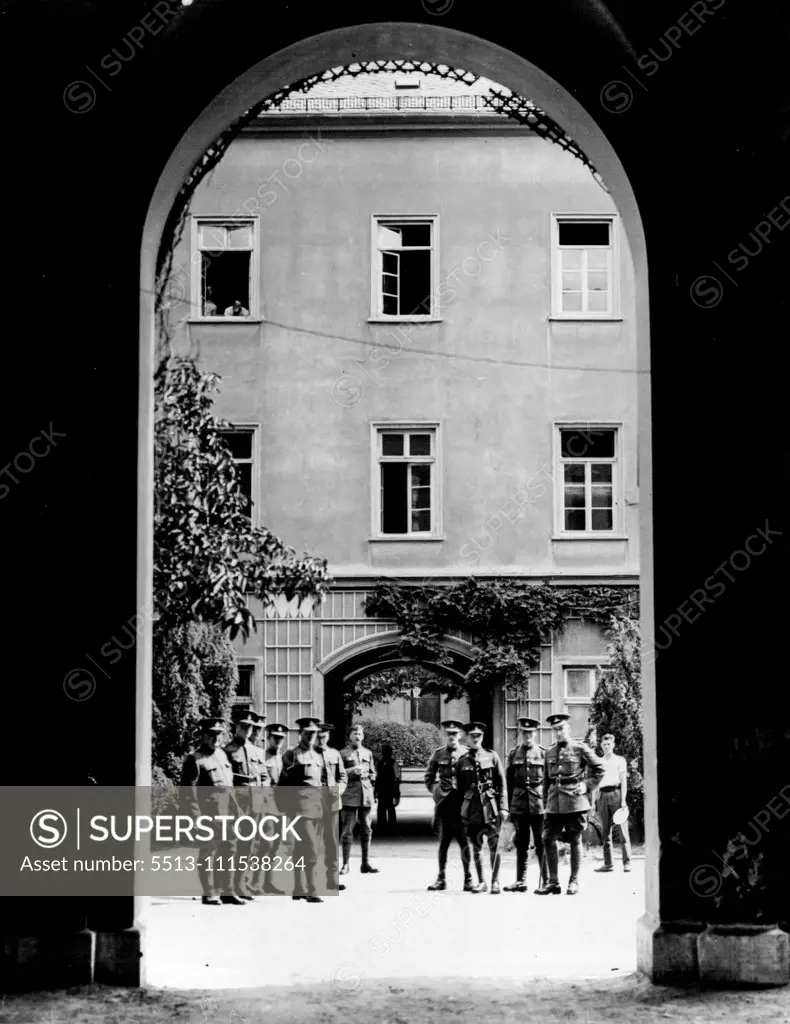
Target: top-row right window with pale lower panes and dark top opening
<point>585,268</point>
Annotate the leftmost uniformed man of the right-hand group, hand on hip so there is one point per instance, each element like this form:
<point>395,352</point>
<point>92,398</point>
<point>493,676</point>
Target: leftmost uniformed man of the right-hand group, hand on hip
<point>442,783</point>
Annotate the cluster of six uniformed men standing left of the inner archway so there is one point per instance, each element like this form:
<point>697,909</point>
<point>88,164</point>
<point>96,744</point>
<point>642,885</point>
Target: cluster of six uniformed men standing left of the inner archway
<point>222,781</point>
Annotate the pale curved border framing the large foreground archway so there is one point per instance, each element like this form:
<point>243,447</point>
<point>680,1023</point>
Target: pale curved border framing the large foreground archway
<point>381,42</point>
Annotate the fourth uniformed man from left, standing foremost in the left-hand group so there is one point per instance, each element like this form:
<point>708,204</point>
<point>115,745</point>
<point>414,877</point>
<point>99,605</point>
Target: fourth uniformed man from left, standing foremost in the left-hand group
<point>303,766</point>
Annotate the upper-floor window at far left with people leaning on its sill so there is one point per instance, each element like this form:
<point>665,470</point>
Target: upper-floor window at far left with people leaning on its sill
<point>225,255</point>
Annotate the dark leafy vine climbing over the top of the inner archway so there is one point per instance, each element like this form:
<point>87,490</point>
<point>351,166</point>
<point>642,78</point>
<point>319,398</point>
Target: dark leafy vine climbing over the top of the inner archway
<point>506,622</point>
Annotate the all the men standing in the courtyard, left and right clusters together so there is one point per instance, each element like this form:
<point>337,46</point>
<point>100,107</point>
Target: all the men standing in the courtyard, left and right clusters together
<point>547,794</point>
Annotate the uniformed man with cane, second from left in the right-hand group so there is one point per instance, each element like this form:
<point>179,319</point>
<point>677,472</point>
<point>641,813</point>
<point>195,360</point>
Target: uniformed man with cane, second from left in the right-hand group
<point>484,791</point>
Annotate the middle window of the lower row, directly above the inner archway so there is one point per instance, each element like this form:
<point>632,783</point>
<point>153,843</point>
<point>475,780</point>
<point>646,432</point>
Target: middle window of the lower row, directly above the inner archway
<point>406,502</point>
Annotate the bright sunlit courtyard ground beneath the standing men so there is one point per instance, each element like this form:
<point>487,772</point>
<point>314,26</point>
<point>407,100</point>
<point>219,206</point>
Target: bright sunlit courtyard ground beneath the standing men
<point>388,926</point>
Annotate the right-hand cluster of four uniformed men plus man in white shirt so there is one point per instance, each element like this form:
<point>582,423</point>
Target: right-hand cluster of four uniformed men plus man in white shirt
<point>547,793</point>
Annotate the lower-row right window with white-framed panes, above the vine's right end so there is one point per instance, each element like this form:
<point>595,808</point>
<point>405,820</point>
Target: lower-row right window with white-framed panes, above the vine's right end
<point>588,481</point>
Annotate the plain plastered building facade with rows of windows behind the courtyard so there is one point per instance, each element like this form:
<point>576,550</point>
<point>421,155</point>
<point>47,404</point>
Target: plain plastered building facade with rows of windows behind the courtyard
<point>423,314</point>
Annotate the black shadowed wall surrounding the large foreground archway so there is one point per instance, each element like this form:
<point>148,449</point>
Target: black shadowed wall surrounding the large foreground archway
<point>702,126</point>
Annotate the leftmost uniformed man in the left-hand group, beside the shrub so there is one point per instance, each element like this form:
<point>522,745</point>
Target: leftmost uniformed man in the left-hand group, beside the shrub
<point>207,782</point>
